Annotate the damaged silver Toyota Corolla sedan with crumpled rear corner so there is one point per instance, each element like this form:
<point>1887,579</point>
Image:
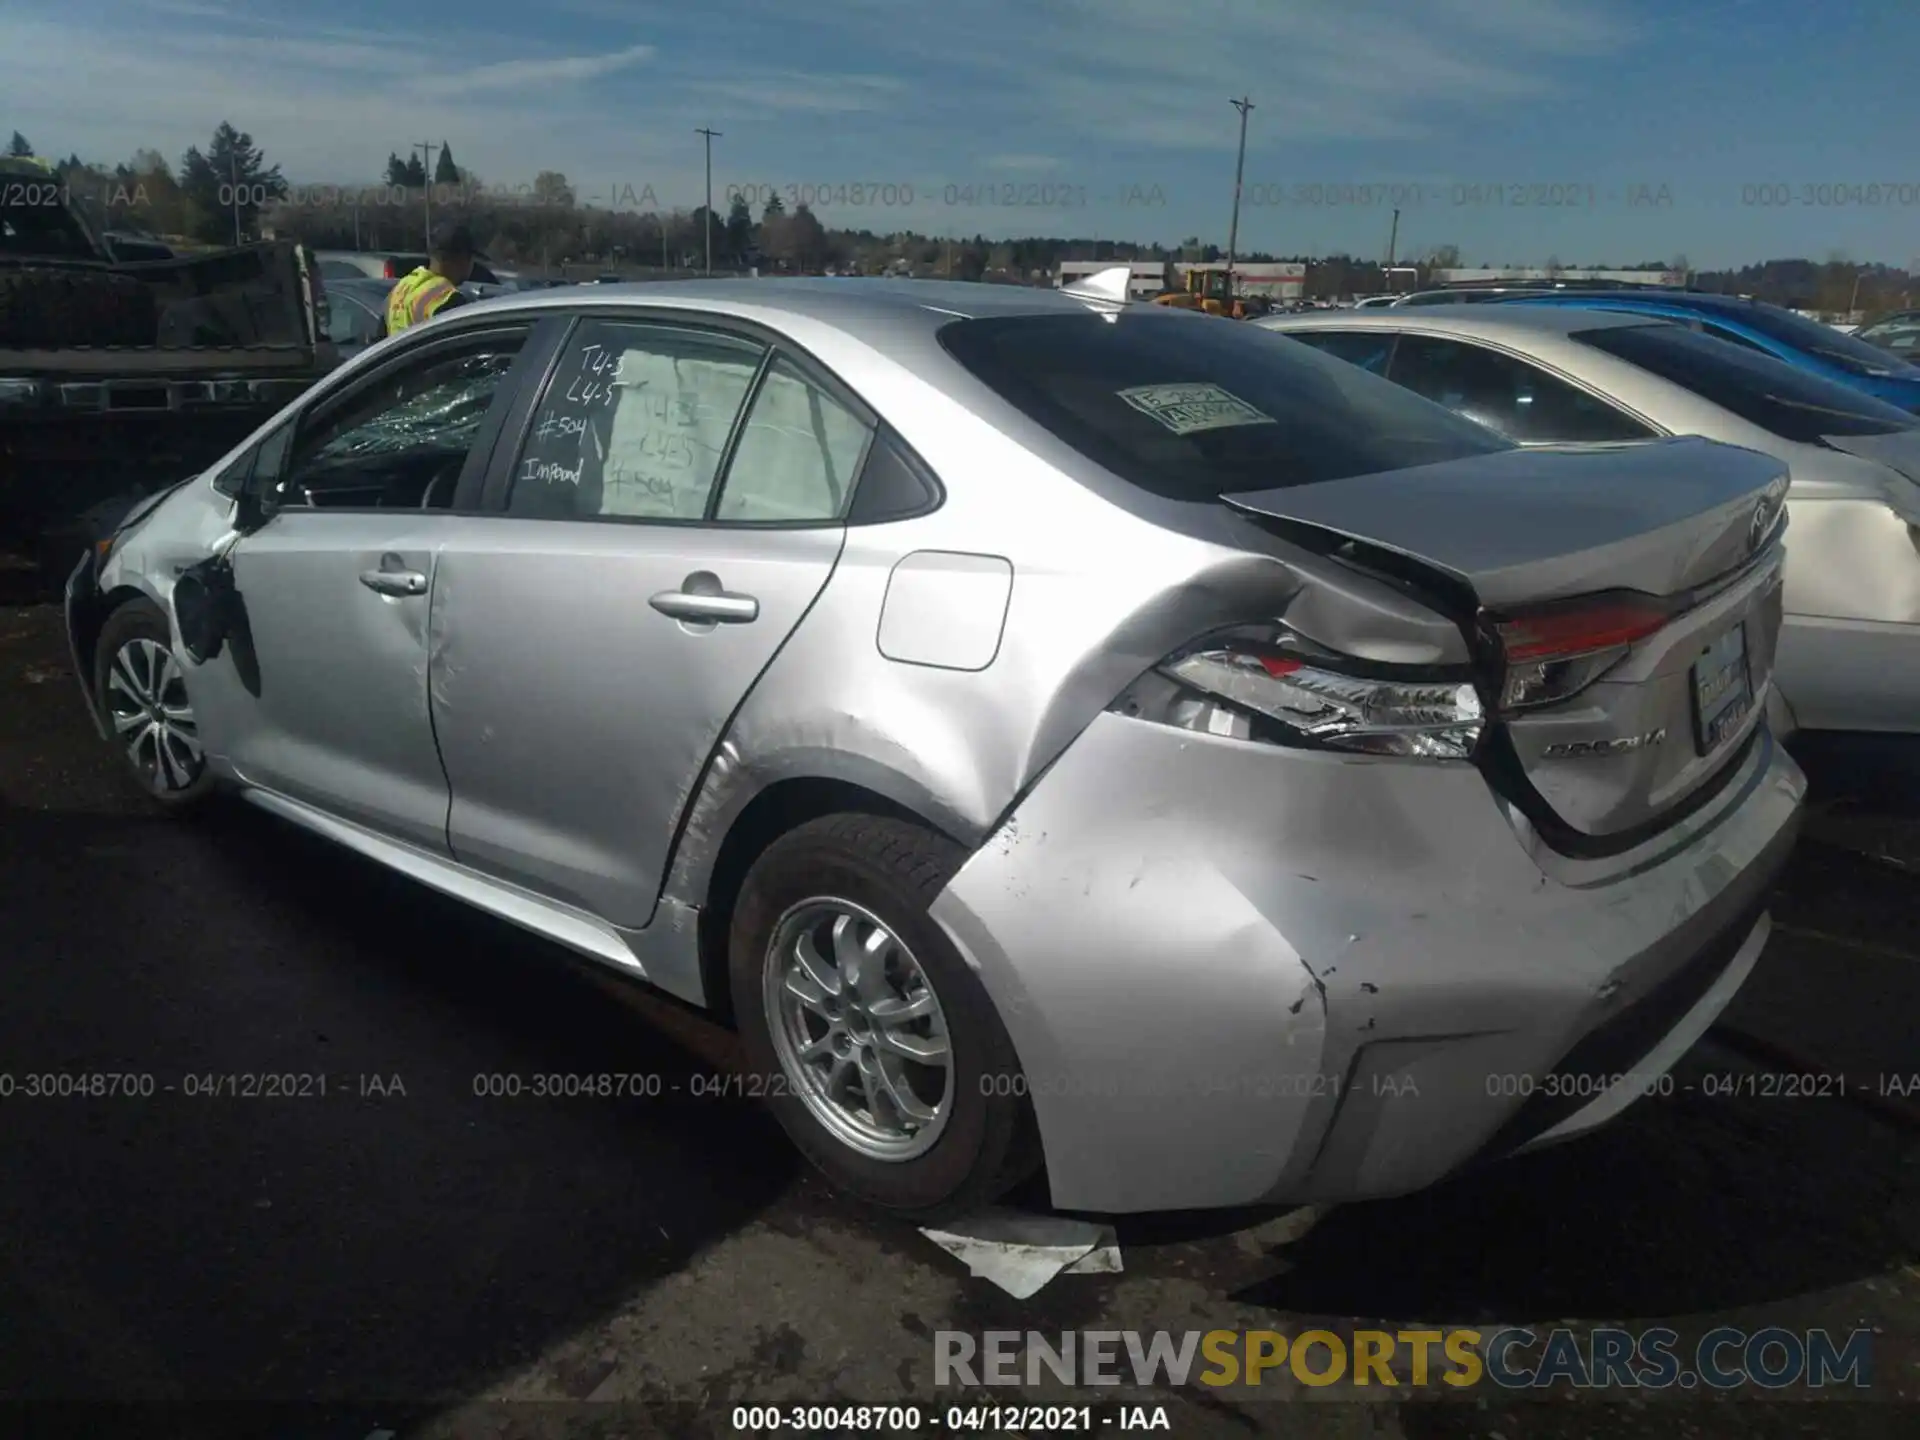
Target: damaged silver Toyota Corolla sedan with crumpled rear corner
<point>1049,731</point>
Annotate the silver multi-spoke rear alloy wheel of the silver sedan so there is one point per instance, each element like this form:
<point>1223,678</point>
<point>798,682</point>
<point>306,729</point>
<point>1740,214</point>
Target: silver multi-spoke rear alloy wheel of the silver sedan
<point>859,1030</point>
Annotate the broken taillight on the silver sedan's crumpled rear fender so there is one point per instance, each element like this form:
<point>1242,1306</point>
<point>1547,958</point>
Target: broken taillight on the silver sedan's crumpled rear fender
<point>1276,686</point>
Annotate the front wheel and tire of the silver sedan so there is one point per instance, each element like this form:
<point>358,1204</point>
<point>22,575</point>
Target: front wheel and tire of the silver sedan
<point>141,690</point>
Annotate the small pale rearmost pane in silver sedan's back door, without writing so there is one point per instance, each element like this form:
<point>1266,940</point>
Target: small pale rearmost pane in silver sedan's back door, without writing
<point>798,456</point>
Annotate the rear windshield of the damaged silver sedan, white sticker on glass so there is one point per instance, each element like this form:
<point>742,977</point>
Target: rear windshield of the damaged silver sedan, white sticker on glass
<point>1195,408</point>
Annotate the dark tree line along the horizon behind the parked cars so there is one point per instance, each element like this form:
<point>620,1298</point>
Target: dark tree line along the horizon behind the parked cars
<point>229,191</point>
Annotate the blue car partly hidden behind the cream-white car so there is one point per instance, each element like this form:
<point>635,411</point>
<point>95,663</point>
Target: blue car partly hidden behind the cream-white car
<point>1756,325</point>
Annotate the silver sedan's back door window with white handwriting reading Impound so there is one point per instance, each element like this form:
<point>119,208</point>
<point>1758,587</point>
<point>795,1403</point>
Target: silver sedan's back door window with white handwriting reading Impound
<point>635,423</point>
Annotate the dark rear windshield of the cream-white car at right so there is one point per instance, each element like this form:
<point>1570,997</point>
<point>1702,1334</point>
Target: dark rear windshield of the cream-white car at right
<point>1760,389</point>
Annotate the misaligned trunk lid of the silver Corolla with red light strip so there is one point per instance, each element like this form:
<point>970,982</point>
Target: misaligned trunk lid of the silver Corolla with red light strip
<point>1641,587</point>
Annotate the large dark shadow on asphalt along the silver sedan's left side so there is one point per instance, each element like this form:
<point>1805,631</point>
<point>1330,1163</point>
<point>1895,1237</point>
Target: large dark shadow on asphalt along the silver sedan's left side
<point>395,1237</point>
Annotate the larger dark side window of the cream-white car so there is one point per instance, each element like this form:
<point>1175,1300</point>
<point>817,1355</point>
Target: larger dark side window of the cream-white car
<point>1508,395</point>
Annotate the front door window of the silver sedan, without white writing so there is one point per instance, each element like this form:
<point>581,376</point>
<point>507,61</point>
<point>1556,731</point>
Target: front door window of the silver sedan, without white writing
<point>404,439</point>
